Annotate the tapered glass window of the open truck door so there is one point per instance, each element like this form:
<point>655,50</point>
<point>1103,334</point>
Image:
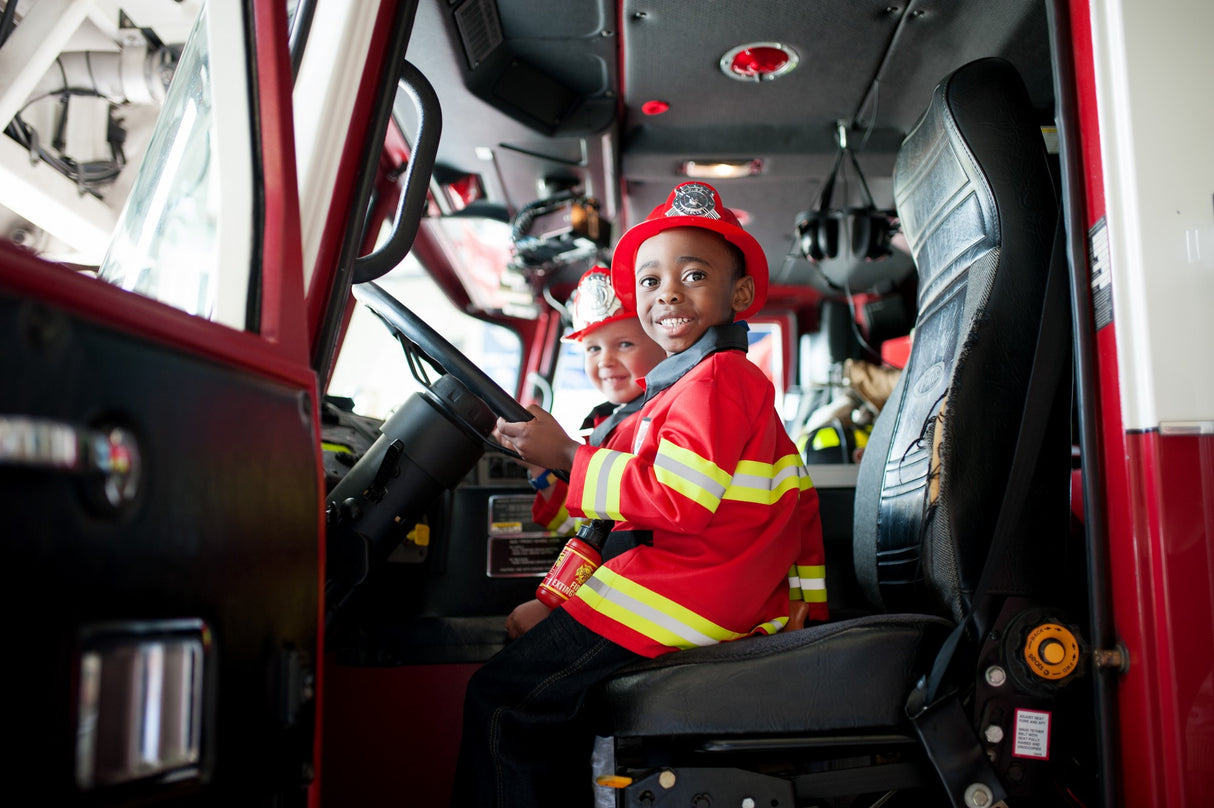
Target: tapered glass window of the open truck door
<point>188,234</point>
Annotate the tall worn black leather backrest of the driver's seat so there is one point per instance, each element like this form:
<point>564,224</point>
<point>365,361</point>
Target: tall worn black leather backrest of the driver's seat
<point>977,203</point>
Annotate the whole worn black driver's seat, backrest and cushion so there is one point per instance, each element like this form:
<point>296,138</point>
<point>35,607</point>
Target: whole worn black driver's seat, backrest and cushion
<point>975,197</point>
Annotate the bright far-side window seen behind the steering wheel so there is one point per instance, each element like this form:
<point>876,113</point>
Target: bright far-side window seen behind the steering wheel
<point>372,369</point>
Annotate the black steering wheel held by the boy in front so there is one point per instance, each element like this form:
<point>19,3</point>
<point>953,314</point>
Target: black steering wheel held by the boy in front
<point>438,349</point>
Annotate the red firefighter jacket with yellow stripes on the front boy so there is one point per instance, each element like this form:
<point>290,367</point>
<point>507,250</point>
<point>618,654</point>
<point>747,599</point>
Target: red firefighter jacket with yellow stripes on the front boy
<point>714,476</point>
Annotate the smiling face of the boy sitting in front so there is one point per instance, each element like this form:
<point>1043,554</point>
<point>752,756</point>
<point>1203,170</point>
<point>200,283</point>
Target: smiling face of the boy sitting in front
<point>688,281</point>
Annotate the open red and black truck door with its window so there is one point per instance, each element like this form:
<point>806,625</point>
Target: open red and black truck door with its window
<point>160,464</point>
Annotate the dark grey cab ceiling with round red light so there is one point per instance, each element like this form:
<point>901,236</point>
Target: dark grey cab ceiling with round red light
<point>866,62</point>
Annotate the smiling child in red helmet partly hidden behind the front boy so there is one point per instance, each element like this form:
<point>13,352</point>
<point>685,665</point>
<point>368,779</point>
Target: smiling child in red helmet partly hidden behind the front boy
<point>619,355</point>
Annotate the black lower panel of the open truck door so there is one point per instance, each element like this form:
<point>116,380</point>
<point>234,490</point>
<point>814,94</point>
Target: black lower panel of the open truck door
<point>220,534</point>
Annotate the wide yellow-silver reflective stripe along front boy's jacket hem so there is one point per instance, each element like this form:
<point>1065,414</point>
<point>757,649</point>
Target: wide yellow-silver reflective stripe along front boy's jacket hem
<point>649,613</point>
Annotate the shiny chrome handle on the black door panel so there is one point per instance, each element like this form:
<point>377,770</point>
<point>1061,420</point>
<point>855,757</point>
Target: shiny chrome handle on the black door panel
<point>107,456</point>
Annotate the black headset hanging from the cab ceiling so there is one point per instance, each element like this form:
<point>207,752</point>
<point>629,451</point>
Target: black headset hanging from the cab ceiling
<point>870,229</point>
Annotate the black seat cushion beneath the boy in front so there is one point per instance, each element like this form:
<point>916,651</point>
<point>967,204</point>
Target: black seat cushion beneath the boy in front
<point>838,676</point>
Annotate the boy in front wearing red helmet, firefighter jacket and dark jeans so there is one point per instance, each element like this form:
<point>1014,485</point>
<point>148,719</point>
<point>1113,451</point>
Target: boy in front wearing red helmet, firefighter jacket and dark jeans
<point>710,471</point>
